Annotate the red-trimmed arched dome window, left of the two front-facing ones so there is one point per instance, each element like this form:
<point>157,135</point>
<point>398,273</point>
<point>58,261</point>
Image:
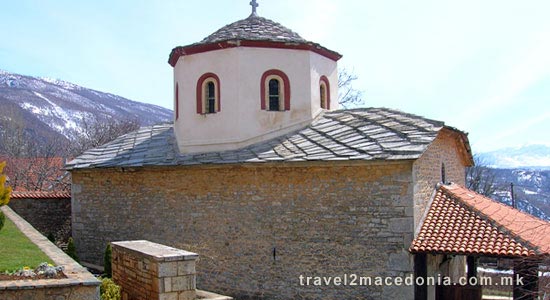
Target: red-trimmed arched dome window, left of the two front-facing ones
<point>208,94</point>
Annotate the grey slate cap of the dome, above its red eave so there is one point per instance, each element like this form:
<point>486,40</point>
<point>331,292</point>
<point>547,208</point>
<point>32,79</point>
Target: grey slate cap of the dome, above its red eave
<point>254,28</point>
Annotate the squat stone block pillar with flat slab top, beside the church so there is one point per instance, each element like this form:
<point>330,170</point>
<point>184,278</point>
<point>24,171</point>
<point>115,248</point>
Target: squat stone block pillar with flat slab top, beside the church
<point>147,270</point>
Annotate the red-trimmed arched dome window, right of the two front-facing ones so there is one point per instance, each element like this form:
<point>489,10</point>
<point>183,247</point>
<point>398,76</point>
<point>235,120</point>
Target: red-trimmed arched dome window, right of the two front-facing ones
<point>275,91</point>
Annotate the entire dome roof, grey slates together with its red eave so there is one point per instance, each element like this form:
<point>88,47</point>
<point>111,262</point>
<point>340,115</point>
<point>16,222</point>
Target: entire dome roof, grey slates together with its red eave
<point>253,31</point>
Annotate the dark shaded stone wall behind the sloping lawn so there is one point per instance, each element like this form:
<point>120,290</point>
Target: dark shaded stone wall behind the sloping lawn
<point>46,215</point>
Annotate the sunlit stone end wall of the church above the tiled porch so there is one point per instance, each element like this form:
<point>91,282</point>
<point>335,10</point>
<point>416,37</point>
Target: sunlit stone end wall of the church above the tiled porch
<point>427,171</point>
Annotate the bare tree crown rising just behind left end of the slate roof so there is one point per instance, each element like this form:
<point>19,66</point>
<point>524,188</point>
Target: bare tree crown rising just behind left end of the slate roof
<point>95,134</point>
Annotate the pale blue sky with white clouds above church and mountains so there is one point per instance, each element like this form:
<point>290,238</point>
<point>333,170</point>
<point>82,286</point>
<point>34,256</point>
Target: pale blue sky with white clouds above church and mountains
<point>482,66</point>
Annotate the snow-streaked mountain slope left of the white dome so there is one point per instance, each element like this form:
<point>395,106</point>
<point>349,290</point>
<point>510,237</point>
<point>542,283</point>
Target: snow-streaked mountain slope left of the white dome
<point>52,109</point>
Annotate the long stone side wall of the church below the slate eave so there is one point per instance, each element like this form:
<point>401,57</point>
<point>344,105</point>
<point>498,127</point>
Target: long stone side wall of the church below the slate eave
<point>259,227</point>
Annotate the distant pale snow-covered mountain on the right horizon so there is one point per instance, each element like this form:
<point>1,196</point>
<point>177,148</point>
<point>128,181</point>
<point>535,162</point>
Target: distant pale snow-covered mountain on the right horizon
<point>530,156</point>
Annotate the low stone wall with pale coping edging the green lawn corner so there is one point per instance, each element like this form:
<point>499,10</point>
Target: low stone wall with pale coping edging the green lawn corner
<point>79,284</point>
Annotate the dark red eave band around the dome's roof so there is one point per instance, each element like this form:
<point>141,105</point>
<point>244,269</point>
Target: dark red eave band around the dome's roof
<point>201,48</point>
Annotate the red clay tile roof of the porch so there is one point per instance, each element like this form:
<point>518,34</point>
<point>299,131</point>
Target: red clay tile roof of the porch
<point>460,221</point>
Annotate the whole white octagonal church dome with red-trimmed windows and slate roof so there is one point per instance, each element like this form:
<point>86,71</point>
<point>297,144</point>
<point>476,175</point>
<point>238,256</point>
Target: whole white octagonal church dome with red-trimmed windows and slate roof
<point>249,81</point>
